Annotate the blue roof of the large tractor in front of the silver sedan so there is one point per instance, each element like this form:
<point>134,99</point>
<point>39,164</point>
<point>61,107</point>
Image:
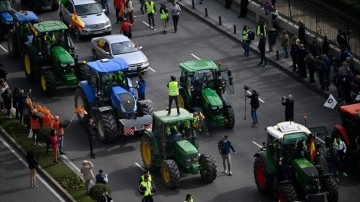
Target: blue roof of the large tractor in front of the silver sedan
<point>108,65</point>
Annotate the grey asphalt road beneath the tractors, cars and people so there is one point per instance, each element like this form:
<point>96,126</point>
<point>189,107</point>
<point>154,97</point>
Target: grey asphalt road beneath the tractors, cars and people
<point>194,39</point>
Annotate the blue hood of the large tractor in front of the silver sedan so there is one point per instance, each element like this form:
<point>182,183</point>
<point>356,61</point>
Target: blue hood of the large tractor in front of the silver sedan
<point>123,101</point>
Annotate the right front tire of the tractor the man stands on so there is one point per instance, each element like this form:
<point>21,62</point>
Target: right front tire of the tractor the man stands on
<point>207,168</point>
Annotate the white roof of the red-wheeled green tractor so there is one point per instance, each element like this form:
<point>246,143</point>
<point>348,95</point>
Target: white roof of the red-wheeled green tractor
<point>284,128</point>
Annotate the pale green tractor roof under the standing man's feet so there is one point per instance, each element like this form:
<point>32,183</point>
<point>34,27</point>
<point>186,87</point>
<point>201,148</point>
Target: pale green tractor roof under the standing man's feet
<point>163,117</point>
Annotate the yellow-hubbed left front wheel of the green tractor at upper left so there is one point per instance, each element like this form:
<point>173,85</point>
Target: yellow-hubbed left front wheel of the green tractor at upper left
<point>48,82</point>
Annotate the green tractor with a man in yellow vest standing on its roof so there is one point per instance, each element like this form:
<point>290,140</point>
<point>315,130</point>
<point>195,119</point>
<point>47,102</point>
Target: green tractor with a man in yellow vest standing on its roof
<point>175,156</point>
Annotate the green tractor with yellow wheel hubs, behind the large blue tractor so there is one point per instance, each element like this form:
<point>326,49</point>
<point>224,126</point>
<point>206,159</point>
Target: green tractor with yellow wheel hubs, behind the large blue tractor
<point>50,57</point>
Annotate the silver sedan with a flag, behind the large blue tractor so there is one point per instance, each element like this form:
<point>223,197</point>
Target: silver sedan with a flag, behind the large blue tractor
<point>120,46</point>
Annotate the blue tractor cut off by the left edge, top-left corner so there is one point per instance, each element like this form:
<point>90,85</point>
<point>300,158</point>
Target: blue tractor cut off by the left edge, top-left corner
<point>6,18</point>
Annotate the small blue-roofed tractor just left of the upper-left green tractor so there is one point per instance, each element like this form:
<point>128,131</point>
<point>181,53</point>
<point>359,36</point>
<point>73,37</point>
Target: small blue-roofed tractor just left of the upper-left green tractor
<point>21,32</point>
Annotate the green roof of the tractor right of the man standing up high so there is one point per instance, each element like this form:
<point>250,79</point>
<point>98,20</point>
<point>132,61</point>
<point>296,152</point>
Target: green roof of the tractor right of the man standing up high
<point>198,65</point>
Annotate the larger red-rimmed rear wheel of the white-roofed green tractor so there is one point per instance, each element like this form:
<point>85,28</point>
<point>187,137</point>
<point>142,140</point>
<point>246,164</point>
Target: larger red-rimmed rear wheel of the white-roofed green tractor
<point>263,180</point>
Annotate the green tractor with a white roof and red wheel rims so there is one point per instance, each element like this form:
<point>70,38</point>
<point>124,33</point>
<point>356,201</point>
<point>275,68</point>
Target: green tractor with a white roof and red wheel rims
<point>291,165</point>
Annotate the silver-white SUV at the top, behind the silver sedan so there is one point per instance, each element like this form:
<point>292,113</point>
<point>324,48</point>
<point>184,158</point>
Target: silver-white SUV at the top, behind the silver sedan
<point>90,12</point>
